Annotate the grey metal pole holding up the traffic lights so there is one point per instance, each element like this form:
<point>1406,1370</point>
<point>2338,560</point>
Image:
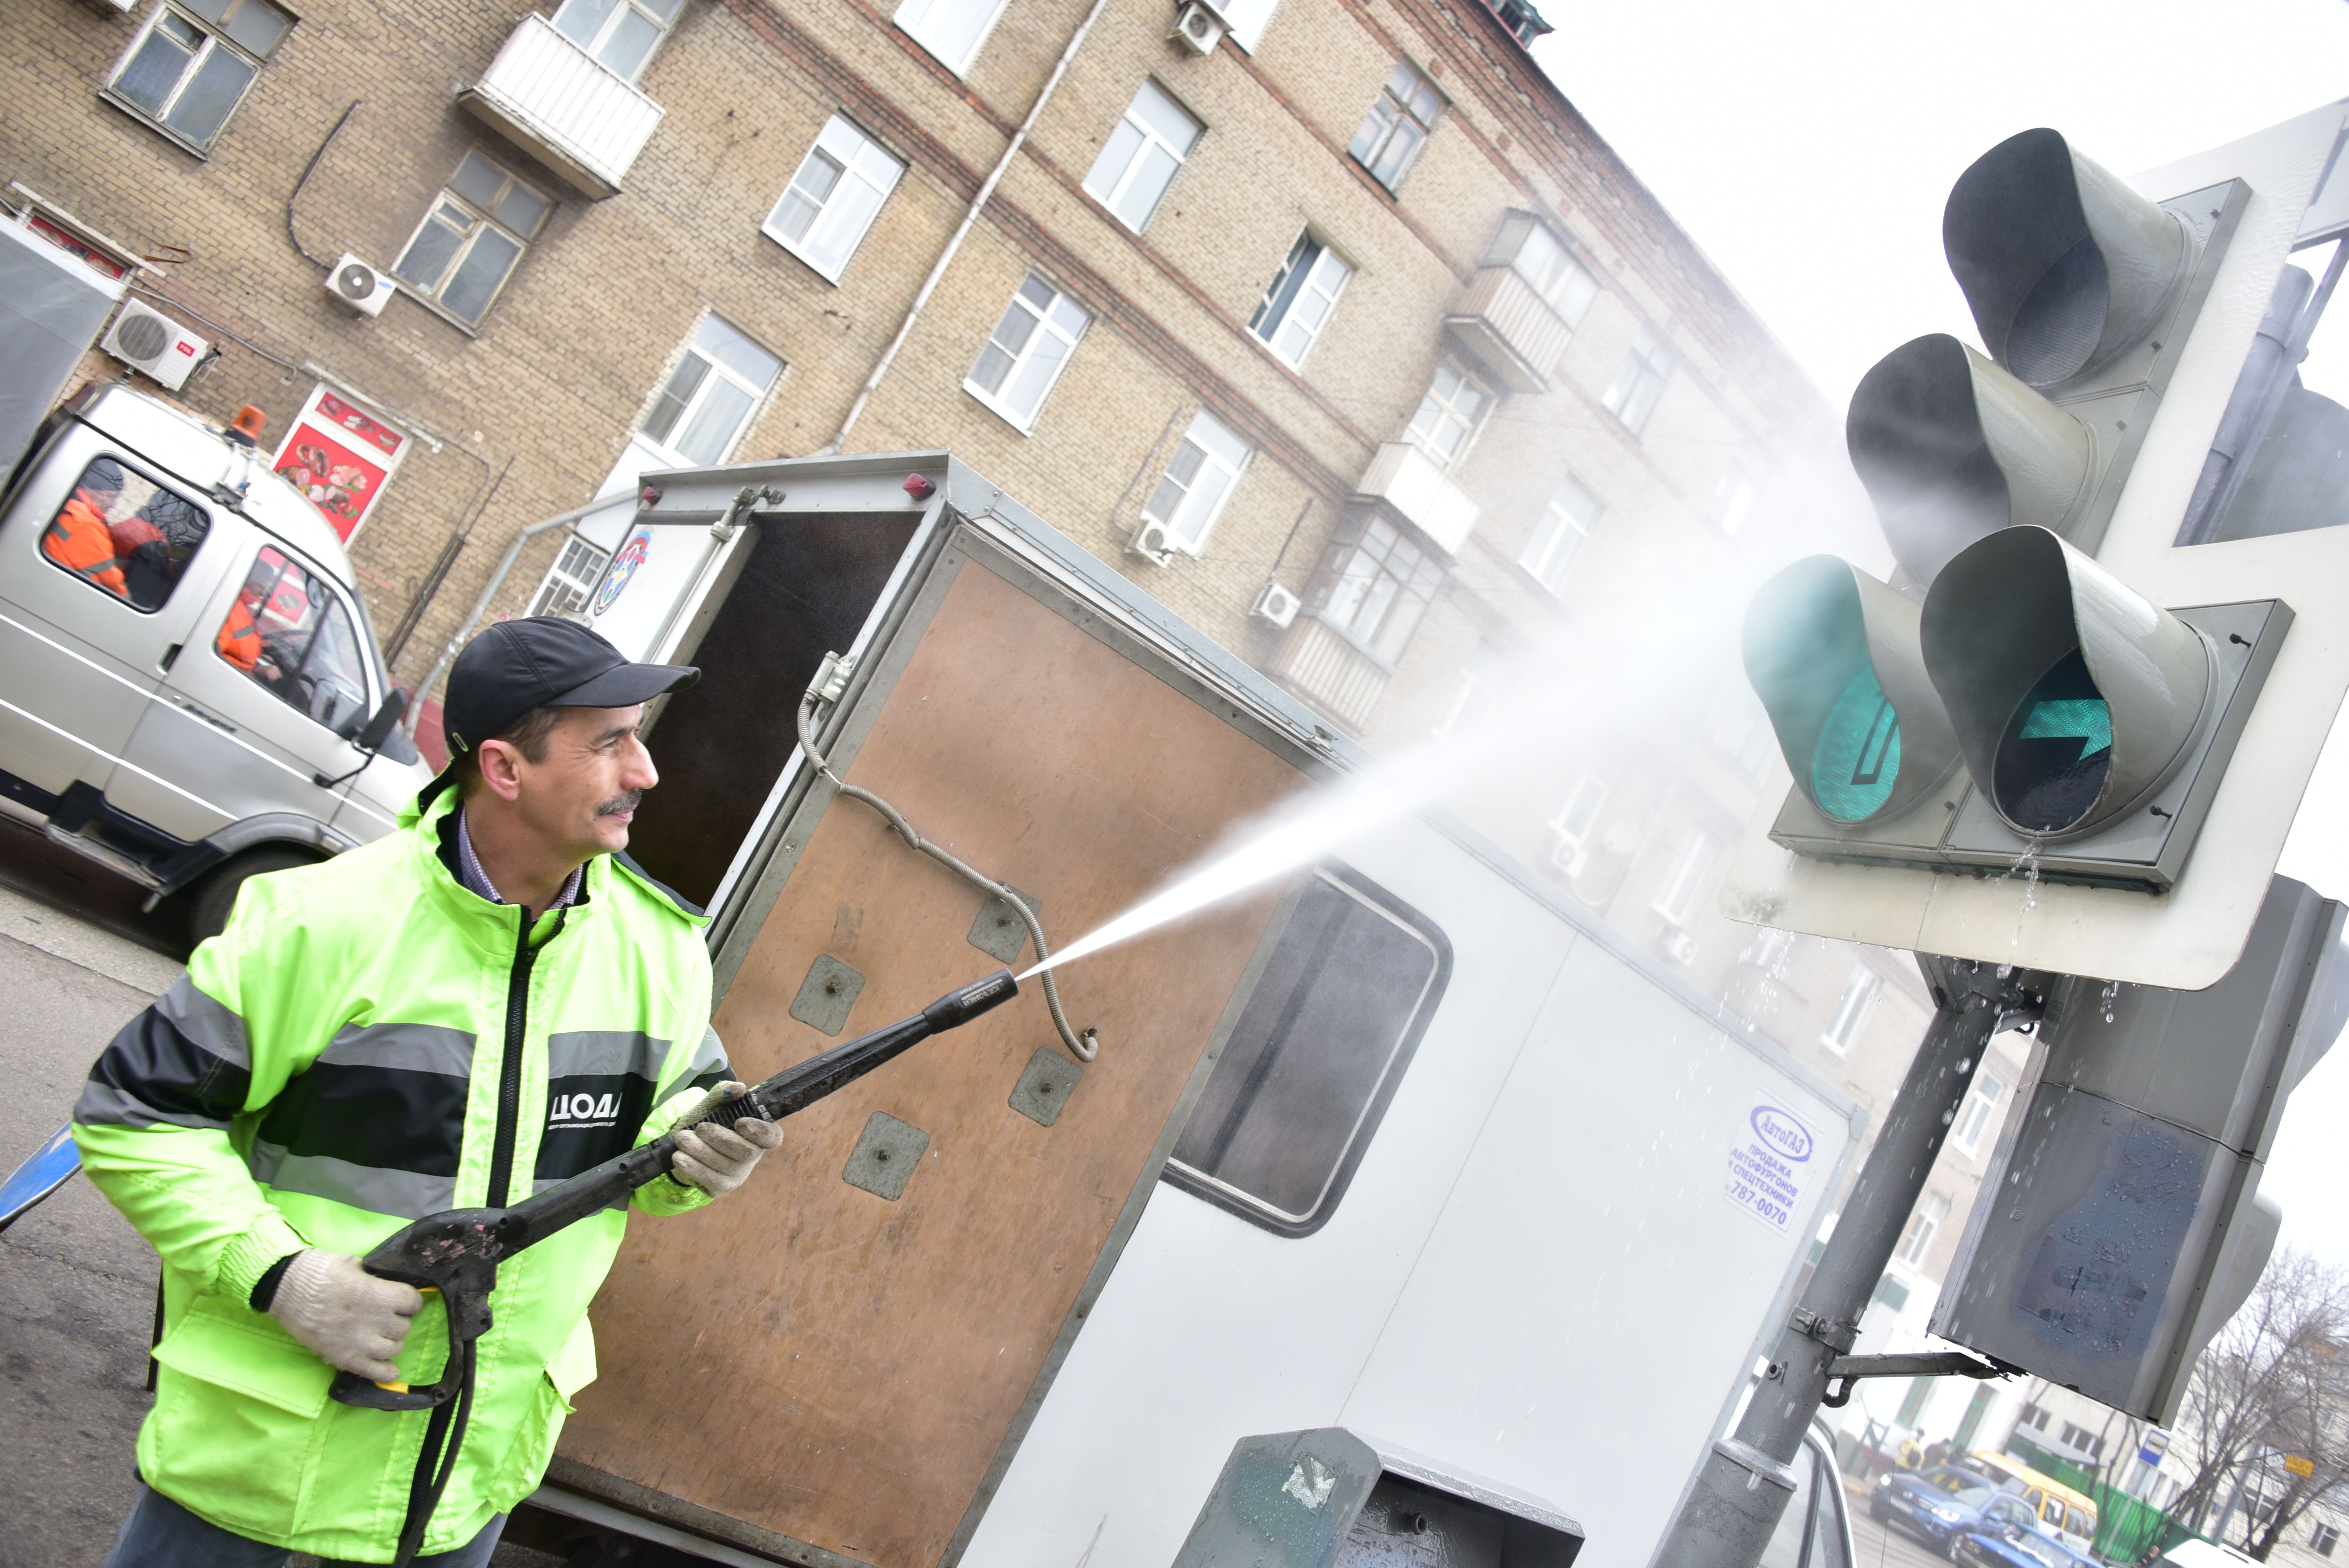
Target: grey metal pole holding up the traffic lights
<point>1746,1480</point>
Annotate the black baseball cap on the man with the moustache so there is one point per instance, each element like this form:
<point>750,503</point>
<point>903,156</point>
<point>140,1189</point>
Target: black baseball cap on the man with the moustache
<point>544,663</point>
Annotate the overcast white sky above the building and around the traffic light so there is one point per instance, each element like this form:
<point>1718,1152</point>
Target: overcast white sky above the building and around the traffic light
<point>1810,149</point>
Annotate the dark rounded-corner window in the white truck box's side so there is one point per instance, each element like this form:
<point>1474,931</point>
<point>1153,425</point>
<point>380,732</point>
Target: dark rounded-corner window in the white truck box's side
<point>1314,1055</point>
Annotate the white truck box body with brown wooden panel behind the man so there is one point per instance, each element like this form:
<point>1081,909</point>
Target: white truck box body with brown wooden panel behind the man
<point>1469,1172</point>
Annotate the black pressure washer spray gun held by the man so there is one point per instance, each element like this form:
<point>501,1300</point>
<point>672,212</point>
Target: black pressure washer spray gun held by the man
<point>459,1252</point>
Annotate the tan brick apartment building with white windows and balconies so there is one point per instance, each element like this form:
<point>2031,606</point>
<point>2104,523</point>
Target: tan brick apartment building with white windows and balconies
<point>1342,334</point>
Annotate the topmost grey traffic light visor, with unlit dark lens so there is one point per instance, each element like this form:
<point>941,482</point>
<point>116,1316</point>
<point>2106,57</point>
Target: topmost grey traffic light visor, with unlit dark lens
<point>2061,262</point>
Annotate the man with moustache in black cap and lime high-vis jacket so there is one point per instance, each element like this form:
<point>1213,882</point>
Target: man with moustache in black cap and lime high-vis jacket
<point>478,1006</point>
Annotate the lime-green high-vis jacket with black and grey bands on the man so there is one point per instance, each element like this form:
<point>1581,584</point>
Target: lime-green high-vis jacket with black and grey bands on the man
<point>370,1043</point>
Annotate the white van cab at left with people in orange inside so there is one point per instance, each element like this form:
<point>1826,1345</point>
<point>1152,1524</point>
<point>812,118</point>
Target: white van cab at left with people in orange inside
<point>189,684</point>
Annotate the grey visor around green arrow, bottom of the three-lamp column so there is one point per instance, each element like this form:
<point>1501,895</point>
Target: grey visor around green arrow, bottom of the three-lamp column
<point>2073,696</point>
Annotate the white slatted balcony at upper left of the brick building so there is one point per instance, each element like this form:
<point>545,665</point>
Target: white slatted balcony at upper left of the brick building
<point>558,104</point>
